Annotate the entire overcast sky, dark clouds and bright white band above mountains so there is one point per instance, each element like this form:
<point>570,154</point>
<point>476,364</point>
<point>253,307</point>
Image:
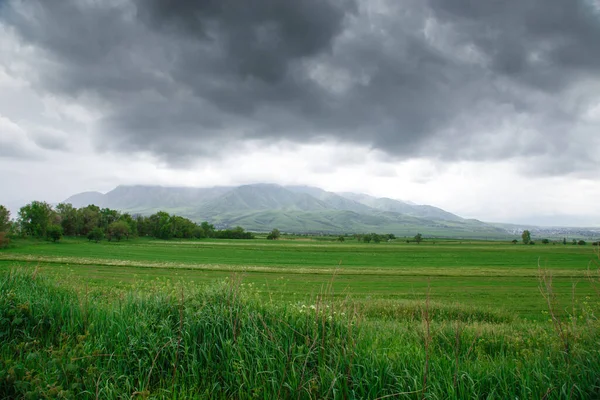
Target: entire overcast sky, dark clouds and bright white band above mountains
<point>488,109</point>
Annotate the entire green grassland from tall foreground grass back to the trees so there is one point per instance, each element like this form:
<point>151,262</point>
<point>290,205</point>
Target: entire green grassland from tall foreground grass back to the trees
<point>298,319</point>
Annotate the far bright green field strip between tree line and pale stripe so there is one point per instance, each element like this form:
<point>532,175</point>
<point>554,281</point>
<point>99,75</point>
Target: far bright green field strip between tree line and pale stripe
<point>394,255</point>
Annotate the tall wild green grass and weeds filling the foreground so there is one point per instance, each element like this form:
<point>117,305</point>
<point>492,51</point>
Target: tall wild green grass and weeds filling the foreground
<point>173,340</point>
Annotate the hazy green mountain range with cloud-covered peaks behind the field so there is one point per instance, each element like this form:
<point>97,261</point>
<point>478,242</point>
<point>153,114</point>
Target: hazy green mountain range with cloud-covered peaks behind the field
<point>299,209</point>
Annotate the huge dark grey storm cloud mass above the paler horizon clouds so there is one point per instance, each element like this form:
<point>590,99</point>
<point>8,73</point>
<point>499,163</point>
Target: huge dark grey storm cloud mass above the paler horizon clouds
<point>451,79</point>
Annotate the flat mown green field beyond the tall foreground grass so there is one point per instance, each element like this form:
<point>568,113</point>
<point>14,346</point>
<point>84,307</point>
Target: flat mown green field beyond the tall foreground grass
<point>495,275</point>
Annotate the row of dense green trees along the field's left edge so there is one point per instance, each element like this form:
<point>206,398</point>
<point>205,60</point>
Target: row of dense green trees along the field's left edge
<point>41,220</point>
